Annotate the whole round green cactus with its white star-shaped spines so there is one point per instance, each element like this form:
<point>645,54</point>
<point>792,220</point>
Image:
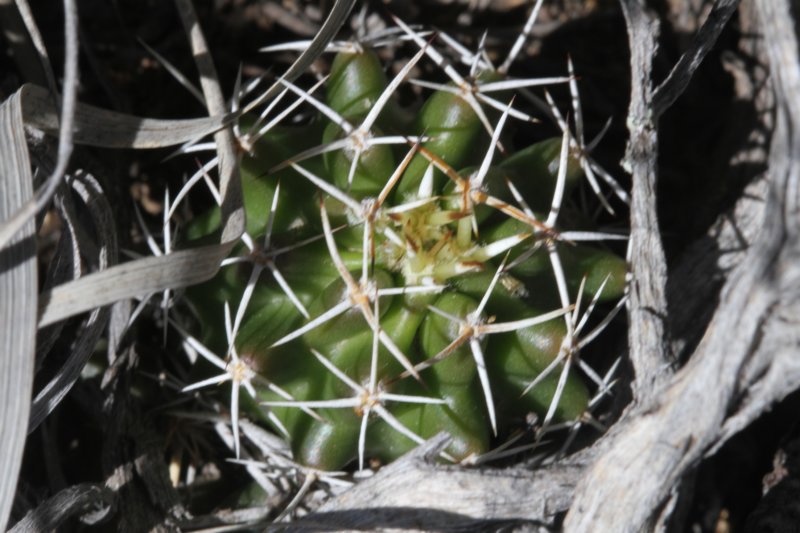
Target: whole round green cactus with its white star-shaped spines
<point>420,281</point>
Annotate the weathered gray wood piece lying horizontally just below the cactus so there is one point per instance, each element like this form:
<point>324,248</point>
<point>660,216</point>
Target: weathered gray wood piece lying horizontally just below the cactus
<point>416,493</point>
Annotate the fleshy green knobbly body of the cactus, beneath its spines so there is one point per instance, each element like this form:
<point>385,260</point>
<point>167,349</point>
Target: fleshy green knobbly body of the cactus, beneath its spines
<point>424,235</point>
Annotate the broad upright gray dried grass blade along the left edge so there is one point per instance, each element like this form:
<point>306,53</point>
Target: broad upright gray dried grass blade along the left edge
<point>18,288</point>
